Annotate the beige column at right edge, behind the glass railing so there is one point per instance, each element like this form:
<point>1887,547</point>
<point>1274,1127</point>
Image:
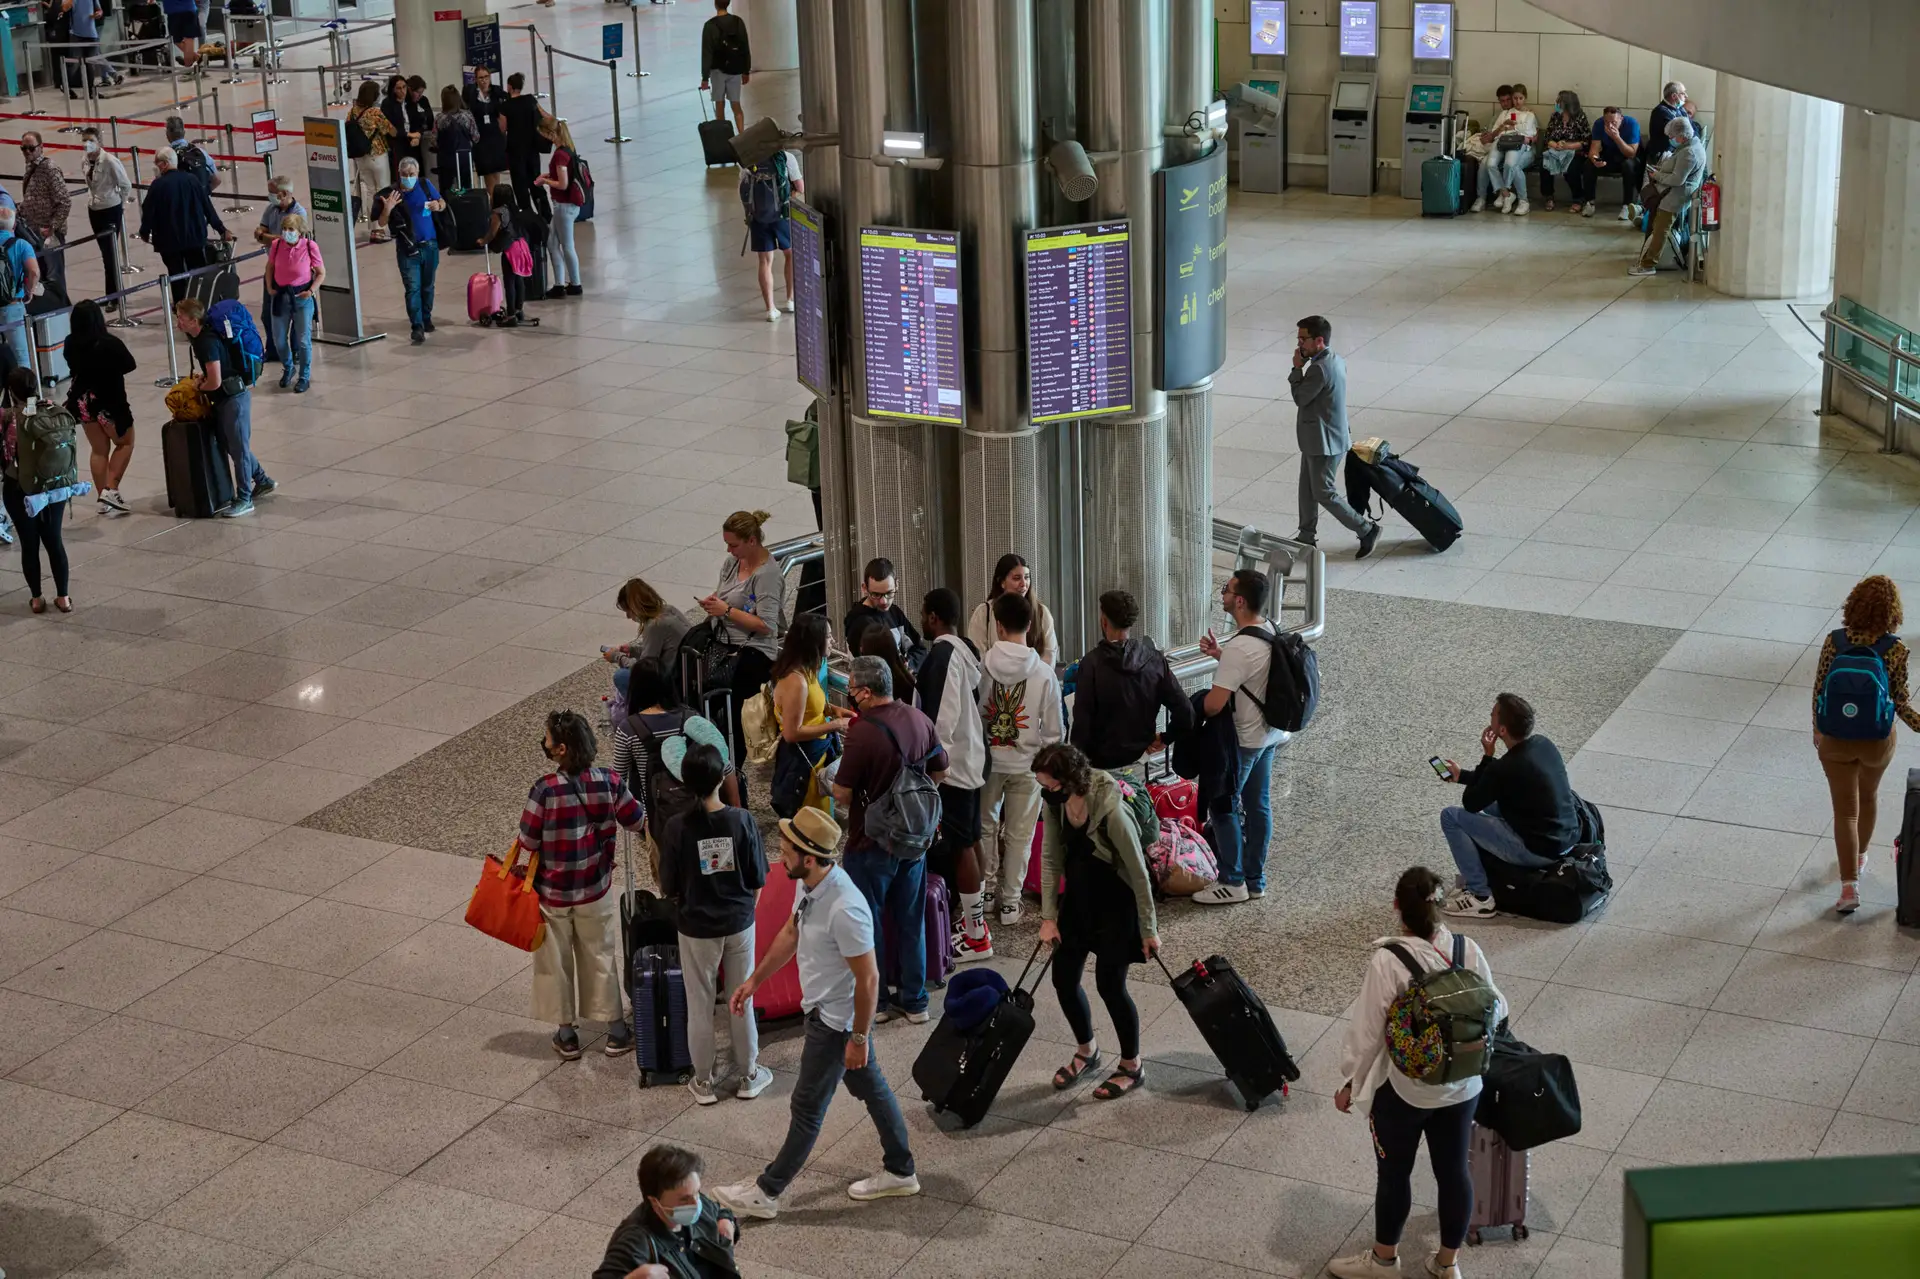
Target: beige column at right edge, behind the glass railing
<point>1877,260</point>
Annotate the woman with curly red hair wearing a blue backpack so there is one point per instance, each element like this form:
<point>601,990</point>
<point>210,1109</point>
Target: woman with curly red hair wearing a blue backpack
<point>1860,688</point>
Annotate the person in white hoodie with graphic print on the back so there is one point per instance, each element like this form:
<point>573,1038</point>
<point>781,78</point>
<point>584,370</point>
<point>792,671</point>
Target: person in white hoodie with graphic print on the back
<point>1020,706</point>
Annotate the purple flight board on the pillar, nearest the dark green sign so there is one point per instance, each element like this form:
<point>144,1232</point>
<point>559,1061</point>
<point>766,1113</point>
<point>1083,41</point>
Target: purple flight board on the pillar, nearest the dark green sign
<point>1080,322</point>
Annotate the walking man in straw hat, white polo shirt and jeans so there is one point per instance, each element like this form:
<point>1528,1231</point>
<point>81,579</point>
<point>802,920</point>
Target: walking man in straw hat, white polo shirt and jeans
<point>832,938</point>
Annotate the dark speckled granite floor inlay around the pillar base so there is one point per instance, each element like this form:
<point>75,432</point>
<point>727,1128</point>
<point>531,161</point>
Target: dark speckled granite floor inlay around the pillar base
<point>1355,802</point>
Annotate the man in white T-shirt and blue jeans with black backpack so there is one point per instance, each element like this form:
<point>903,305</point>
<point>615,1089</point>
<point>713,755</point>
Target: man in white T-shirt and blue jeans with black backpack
<point>1243,819</point>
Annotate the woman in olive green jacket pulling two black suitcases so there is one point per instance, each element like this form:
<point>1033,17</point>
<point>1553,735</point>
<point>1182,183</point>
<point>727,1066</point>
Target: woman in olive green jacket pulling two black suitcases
<point>1097,900</point>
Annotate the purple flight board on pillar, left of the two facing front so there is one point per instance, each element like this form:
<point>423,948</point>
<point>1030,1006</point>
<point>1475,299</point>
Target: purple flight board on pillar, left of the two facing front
<point>911,312</point>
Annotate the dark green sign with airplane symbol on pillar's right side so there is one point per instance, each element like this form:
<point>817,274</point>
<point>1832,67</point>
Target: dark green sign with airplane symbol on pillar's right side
<point>1193,264</point>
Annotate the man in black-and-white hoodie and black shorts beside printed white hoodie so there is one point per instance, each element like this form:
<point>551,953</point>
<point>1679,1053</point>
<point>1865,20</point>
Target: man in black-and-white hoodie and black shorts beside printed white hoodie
<point>949,696</point>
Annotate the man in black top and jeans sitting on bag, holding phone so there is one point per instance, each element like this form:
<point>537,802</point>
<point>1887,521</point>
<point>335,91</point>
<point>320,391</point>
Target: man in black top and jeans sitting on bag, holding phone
<point>1518,809</point>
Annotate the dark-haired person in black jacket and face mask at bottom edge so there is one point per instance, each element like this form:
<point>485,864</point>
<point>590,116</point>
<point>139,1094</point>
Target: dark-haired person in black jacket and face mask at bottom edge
<point>677,1232</point>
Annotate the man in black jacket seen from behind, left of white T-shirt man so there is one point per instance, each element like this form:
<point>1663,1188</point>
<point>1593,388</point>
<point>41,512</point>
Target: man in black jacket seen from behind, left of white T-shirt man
<point>1124,683</point>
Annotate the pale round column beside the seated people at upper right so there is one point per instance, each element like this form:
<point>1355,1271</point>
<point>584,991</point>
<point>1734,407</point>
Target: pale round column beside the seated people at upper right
<point>1777,157</point>
